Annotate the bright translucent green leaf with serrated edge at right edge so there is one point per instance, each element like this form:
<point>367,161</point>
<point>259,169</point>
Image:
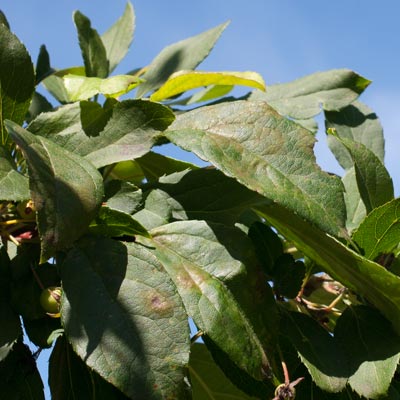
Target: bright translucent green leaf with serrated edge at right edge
<point>380,230</point>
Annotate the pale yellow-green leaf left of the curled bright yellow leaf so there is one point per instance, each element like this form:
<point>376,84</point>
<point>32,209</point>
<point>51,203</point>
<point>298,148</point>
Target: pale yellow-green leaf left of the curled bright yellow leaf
<point>83,88</point>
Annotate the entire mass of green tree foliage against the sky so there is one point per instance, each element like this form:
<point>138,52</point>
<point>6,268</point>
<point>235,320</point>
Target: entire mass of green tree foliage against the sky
<point>289,274</point>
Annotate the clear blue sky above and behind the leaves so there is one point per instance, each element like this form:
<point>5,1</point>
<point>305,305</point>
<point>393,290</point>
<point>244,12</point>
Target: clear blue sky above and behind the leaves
<point>281,39</point>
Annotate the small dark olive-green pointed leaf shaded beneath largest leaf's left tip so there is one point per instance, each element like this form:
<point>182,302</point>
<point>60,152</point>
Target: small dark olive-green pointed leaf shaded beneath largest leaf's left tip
<point>155,165</point>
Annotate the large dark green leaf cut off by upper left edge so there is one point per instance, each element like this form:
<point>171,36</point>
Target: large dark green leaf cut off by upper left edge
<point>17,79</point>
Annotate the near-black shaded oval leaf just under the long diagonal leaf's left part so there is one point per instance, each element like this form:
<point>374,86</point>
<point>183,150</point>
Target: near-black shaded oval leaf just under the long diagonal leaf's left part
<point>267,244</point>
